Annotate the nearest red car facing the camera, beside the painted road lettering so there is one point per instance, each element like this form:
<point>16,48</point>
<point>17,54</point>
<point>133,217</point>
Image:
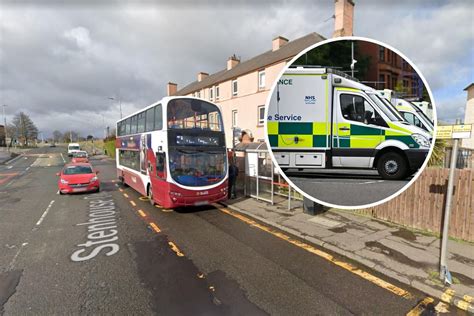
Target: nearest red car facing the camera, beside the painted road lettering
<point>78,177</point>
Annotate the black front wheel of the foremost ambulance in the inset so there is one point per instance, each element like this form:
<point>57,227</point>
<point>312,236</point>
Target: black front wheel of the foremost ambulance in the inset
<point>392,163</point>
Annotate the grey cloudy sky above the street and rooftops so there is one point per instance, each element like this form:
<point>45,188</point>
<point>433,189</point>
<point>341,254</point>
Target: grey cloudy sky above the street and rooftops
<point>60,61</point>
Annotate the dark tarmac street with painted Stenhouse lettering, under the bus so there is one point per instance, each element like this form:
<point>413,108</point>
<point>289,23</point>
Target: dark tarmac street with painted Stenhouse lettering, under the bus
<point>197,261</point>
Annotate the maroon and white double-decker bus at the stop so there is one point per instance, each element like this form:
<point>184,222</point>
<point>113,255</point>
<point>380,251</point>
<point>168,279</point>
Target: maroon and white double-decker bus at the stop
<point>174,152</point>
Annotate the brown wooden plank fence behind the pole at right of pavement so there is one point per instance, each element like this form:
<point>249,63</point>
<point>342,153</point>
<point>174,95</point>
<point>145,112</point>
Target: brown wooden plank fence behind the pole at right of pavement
<point>422,205</point>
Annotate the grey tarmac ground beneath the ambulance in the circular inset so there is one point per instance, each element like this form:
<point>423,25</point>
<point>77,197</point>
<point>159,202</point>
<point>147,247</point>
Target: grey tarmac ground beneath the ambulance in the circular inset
<point>345,187</point>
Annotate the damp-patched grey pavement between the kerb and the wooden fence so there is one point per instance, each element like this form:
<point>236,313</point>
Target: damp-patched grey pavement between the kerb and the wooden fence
<point>408,256</point>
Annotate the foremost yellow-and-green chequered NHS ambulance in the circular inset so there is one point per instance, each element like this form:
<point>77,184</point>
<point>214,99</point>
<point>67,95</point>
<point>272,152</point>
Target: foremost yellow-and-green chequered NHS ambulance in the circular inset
<point>322,118</point>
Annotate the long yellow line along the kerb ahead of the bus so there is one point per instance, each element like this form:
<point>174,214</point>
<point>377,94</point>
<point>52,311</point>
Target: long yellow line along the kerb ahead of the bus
<point>347,266</point>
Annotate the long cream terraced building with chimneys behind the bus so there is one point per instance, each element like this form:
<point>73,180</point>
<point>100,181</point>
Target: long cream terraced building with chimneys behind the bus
<point>242,87</point>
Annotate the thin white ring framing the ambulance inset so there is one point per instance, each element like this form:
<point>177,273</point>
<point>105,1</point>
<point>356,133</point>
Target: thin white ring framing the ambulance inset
<point>350,38</point>
